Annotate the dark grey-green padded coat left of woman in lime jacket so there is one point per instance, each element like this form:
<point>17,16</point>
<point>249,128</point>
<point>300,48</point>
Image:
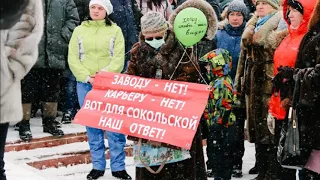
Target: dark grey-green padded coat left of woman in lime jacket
<point>61,17</point>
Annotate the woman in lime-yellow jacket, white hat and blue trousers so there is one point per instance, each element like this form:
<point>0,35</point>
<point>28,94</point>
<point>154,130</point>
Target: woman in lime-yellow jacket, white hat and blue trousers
<point>98,45</point>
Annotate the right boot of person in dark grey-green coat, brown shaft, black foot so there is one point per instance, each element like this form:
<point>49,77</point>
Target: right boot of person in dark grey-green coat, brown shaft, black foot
<point>48,119</point>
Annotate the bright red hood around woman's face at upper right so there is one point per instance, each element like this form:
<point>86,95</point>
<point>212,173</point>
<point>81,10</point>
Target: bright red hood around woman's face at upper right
<point>308,7</point>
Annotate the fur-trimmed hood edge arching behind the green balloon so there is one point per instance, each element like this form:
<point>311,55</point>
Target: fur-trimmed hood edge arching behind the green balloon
<point>206,8</point>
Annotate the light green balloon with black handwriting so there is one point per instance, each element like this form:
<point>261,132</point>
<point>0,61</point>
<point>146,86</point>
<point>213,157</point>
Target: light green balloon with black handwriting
<point>190,26</point>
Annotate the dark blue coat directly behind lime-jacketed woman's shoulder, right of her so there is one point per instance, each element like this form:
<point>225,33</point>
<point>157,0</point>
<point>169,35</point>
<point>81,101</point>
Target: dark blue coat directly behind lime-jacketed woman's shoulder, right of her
<point>123,16</point>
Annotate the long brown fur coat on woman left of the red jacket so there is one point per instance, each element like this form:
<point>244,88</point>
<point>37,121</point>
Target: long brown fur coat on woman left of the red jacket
<point>254,76</point>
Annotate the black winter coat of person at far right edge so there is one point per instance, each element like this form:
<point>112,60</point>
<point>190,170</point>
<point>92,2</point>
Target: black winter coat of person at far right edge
<point>308,107</point>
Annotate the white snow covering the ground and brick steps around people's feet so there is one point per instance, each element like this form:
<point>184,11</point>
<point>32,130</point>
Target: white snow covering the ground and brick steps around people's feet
<point>17,169</point>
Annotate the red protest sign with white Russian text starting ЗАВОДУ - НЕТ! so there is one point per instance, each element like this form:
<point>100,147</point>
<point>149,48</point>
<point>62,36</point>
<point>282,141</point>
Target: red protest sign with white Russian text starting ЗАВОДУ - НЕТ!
<point>158,110</point>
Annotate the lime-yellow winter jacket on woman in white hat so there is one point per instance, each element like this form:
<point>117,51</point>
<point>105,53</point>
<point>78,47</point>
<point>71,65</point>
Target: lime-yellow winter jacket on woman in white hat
<point>95,47</point>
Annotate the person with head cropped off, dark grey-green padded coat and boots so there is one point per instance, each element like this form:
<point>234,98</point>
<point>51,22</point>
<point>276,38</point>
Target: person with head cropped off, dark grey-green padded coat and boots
<point>61,17</point>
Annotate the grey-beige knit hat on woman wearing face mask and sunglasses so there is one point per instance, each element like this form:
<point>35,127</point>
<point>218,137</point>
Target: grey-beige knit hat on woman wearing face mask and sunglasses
<point>153,22</point>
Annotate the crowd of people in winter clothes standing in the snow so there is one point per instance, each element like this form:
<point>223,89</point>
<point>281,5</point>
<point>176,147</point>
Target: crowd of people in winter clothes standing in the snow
<point>262,58</point>
